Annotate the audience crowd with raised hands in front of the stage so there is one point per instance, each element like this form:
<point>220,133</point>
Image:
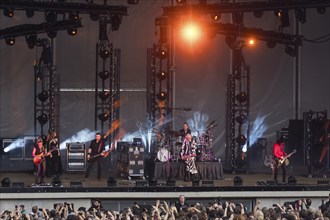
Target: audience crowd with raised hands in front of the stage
<point>181,209</point>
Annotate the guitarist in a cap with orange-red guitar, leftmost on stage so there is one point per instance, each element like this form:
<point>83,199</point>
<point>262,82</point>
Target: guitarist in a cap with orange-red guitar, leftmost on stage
<point>38,153</point>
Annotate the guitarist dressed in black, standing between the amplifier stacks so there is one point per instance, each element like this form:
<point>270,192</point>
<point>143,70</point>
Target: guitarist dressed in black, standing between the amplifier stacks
<point>96,147</point>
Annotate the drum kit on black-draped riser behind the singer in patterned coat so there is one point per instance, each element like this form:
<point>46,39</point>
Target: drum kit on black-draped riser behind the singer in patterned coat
<point>168,145</point>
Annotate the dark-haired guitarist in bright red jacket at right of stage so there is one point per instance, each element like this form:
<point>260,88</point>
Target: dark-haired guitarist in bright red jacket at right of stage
<point>279,154</point>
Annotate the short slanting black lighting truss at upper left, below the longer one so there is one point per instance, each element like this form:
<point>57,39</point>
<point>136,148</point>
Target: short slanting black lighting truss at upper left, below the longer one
<point>25,29</point>
